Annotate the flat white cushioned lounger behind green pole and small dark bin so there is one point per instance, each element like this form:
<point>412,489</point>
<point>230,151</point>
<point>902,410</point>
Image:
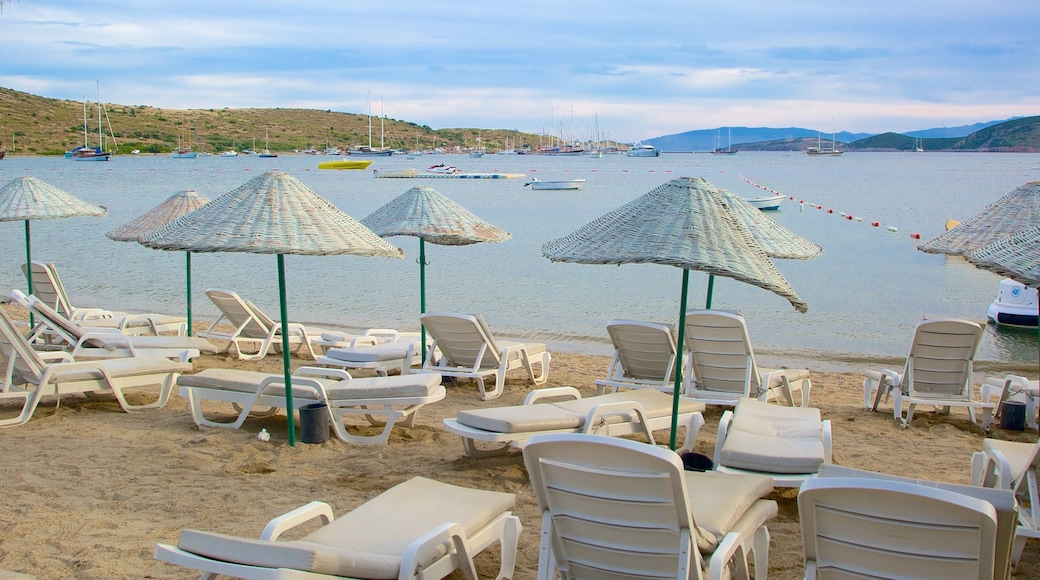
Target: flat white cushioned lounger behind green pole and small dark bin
<point>382,401</point>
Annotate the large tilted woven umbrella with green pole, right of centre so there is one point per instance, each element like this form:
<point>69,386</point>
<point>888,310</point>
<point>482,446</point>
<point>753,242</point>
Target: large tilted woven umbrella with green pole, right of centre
<point>686,223</point>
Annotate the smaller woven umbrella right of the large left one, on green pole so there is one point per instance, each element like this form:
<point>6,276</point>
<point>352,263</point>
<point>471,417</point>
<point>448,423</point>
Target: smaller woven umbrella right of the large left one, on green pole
<point>429,216</point>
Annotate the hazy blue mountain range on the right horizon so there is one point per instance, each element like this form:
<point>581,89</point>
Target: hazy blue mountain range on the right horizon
<point>767,139</point>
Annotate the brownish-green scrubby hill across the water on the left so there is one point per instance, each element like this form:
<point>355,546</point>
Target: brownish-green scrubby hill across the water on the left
<point>39,126</point>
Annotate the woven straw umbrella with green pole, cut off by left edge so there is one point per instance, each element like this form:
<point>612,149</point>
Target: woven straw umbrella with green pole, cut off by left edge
<point>29,198</point>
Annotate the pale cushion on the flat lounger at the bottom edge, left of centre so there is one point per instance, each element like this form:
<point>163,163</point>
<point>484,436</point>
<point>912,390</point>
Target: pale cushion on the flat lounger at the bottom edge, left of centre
<point>369,542</point>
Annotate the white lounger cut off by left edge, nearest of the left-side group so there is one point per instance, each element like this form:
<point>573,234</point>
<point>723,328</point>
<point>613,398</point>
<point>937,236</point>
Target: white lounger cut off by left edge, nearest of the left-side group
<point>32,376</point>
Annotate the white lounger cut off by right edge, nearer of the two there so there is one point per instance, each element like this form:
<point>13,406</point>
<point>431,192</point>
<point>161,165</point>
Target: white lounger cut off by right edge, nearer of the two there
<point>1009,465</point>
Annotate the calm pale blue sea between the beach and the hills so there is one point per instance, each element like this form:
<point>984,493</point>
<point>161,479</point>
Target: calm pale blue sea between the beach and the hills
<point>865,294</point>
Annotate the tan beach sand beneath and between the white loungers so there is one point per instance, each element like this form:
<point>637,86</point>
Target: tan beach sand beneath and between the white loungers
<point>90,490</point>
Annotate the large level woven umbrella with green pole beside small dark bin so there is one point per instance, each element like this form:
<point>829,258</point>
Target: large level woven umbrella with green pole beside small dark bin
<point>273,214</point>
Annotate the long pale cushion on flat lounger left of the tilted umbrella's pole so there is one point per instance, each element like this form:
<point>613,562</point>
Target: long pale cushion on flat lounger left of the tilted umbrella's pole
<point>568,415</point>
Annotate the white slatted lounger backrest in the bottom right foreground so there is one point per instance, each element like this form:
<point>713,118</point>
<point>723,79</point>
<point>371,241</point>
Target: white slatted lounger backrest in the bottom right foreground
<point>875,529</point>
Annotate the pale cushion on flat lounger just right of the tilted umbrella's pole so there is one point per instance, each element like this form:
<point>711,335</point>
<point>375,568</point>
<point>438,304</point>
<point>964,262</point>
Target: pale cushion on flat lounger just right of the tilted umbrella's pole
<point>774,439</point>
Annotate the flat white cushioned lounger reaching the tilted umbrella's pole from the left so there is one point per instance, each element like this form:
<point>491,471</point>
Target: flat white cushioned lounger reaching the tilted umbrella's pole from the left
<point>615,414</point>
